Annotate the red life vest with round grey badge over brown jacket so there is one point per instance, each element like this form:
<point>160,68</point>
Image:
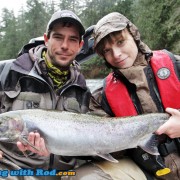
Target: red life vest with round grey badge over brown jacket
<point>168,84</point>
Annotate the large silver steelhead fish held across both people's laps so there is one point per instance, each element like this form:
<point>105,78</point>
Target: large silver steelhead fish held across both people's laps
<point>73,134</point>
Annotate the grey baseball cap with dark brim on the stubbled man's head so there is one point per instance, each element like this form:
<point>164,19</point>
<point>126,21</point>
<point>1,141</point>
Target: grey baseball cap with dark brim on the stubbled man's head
<point>65,15</point>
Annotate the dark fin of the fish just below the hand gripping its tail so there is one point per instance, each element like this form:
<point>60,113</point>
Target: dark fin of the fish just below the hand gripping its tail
<point>151,145</point>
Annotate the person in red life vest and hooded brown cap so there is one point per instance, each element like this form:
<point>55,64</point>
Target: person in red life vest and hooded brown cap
<point>142,81</point>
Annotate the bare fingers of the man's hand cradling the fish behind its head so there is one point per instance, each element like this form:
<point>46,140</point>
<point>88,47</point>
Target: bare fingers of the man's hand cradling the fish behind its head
<point>37,141</point>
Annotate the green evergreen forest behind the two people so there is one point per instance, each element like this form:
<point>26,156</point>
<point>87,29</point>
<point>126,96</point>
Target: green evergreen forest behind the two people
<point>157,21</point>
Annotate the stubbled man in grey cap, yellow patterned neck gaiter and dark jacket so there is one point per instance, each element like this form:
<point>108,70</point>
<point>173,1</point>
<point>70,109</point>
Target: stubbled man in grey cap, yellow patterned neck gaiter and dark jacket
<point>46,77</point>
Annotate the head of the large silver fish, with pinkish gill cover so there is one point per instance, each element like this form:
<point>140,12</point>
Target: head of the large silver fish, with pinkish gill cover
<point>11,127</point>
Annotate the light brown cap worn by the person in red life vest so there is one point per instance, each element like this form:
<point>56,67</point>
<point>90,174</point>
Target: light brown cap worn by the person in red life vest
<point>108,24</point>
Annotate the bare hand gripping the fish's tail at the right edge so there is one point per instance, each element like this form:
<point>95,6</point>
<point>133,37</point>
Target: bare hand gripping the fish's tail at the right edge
<point>172,126</point>
